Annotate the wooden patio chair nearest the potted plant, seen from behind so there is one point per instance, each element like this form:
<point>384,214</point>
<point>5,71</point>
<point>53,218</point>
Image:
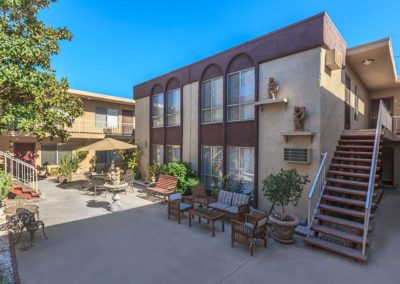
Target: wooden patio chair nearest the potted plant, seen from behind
<point>254,227</point>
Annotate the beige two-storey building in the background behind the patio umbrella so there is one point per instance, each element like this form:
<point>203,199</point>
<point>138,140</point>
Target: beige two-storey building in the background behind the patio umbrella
<point>104,116</point>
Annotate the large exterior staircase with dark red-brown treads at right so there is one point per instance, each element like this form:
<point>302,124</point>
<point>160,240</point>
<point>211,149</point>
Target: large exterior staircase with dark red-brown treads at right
<point>339,224</point>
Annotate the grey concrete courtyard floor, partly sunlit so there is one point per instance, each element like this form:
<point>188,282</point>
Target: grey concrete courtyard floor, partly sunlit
<point>88,244</point>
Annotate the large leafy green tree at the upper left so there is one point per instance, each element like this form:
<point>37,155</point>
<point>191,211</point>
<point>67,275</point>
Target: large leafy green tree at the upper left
<point>31,98</point>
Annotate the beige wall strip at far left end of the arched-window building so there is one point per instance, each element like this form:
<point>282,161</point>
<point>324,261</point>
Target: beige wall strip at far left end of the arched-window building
<point>142,131</point>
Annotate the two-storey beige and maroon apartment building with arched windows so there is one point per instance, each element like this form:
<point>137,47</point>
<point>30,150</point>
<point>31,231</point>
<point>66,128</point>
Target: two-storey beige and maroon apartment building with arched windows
<point>217,115</point>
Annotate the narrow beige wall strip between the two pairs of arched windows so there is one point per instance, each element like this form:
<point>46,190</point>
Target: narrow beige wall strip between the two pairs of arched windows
<point>190,124</point>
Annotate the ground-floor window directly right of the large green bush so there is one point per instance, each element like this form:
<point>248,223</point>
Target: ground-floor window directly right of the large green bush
<point>211,166</point>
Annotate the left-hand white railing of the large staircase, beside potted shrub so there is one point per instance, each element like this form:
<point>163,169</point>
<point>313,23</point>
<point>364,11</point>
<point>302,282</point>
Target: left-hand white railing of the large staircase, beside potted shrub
<point>317,189</point>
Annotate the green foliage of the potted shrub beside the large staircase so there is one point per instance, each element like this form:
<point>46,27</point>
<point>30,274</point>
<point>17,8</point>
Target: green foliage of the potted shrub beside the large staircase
<point>284,188</point>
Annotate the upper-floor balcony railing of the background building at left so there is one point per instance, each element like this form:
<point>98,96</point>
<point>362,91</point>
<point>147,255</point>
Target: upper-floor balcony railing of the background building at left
<point>101,127</point>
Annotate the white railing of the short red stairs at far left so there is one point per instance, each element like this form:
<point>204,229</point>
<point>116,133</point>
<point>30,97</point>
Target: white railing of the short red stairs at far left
<point>20,171</point>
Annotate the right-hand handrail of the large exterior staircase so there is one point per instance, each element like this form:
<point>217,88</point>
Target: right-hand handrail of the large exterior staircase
<point>383,120</point>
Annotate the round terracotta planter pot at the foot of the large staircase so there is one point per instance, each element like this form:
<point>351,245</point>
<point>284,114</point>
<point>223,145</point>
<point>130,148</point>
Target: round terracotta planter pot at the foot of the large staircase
<point>283,231</point>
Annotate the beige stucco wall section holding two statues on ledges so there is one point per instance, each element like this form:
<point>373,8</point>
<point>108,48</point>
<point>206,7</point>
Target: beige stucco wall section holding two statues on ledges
<point>298,76</point>
